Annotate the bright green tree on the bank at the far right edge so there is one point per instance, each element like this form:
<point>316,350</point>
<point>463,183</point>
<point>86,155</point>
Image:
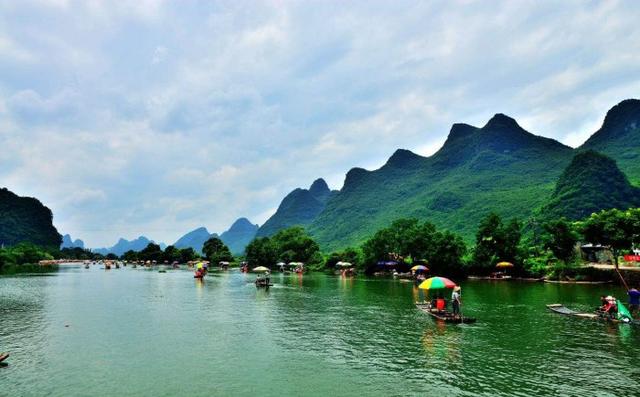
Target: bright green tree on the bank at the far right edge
<point>618,230</point>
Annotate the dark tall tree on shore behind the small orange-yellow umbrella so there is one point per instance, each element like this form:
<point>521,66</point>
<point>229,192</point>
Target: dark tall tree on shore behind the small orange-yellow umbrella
<point>496,242</point>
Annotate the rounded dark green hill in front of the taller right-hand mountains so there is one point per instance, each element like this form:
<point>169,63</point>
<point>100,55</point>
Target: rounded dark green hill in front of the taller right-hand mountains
<point>592,182</point>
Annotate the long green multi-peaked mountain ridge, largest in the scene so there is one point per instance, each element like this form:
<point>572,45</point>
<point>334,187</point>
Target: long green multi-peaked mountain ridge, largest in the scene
<point>499,168</point>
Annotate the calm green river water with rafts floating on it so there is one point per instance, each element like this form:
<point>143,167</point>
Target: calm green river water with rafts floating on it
<point>137,332</point>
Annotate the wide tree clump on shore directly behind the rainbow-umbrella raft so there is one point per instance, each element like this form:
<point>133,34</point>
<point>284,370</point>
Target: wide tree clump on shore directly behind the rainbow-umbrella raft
<point>409,238</point>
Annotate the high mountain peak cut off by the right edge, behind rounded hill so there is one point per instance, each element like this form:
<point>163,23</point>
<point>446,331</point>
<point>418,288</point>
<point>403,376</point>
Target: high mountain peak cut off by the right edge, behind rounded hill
<point>619,138</point>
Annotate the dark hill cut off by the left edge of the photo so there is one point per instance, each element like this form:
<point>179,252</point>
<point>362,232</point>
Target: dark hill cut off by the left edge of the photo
<point>26,219</point>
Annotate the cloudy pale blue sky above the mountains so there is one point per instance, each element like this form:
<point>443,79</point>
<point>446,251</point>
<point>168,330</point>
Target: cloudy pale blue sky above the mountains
<point>152,118</point>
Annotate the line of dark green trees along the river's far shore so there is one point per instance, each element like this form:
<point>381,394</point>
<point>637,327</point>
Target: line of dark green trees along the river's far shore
<point>554,249</point>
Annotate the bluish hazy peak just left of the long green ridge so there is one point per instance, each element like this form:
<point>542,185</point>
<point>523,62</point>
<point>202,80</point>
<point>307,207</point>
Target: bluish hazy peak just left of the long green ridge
<point>298,208</point>
